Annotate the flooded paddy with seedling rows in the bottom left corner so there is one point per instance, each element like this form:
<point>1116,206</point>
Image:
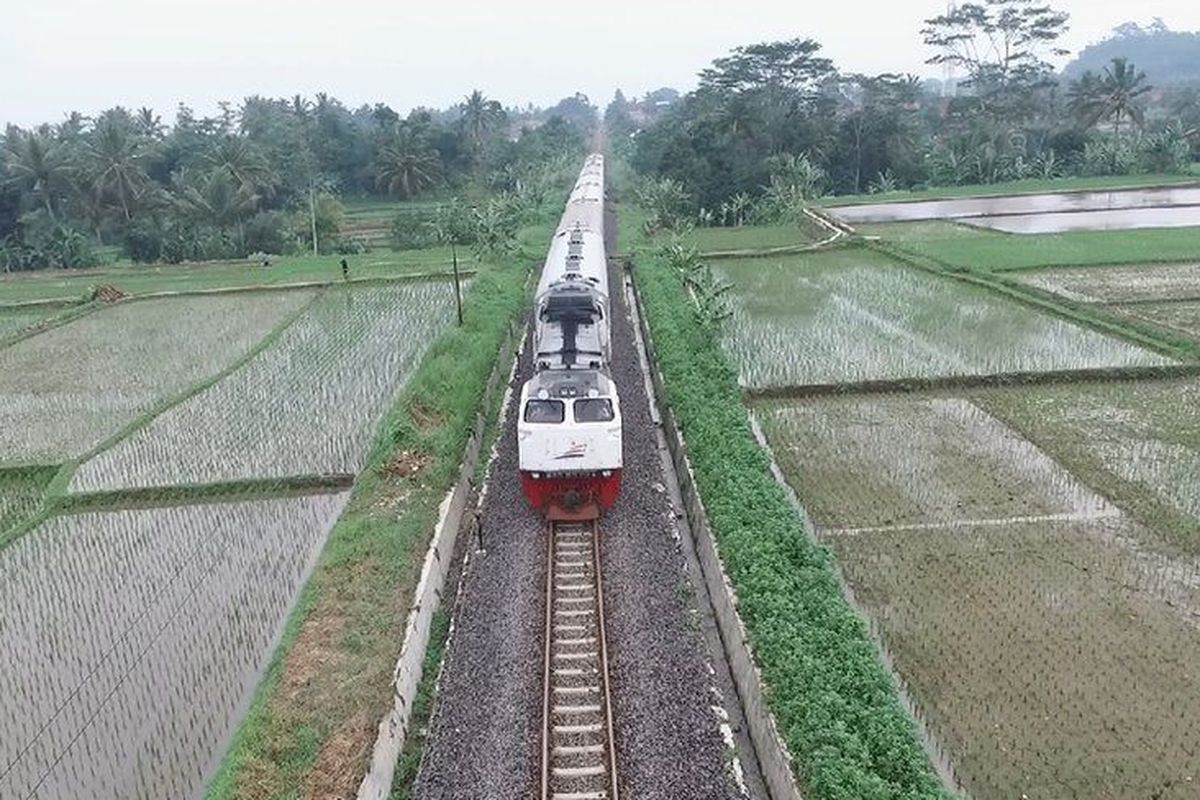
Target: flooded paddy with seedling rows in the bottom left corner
<point>134,639</point>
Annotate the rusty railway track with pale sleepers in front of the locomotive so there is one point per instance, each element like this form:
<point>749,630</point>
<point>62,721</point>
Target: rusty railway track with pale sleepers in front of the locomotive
<point>579,759</point>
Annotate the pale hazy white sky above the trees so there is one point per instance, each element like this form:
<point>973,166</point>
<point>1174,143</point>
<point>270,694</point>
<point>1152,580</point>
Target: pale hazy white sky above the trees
<point>57,56</point>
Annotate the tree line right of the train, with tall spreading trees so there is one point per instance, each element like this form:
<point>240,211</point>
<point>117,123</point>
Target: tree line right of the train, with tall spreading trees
<point>775,124</point>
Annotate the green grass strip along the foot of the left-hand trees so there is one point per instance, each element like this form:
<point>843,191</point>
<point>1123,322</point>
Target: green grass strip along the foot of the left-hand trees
<point>75,285</point>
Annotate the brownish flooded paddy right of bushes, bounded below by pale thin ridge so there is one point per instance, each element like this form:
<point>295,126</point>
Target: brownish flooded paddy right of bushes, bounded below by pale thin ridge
<point>874,462</point>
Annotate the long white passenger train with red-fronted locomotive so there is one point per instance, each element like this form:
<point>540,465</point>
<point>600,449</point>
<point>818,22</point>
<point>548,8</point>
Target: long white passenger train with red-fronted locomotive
<point>569,430</point>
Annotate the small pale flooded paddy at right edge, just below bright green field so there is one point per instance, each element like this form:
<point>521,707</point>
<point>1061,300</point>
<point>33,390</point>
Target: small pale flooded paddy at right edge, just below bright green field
<point>1132,284</point>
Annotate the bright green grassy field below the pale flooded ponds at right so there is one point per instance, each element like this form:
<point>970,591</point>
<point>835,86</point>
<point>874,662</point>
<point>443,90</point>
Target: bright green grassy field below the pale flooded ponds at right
<point>971,249</point>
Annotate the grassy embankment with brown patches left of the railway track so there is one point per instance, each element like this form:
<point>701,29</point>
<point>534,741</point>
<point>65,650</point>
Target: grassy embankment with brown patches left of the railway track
<point>314,718</point>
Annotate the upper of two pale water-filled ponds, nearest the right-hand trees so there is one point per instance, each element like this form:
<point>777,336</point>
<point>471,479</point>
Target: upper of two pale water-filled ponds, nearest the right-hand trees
<point>1023,204</point>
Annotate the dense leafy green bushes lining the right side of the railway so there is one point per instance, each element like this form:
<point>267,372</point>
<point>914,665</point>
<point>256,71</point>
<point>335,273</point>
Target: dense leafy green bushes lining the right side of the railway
<point>836,703</point>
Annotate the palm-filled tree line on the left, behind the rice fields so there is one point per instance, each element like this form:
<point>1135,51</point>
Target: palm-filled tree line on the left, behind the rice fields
<point>267,176</point>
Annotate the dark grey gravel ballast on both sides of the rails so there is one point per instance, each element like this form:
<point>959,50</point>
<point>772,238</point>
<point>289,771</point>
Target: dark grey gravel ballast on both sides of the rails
<point>485,736</point>
